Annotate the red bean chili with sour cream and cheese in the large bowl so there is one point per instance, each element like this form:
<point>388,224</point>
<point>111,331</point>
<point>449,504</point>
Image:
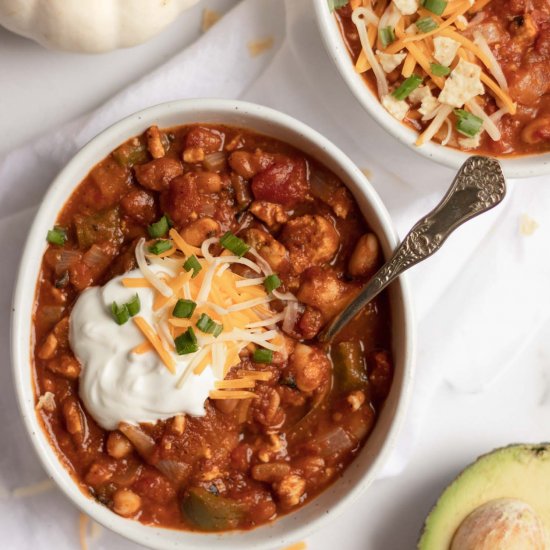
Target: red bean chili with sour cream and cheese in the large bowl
<point>178,371</point>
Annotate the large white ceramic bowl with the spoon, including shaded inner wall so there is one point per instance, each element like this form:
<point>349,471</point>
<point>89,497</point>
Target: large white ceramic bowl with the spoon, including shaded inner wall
<point>365,467</point>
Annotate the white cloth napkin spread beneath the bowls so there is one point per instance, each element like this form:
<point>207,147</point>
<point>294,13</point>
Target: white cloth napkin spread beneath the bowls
<point>479,301</point>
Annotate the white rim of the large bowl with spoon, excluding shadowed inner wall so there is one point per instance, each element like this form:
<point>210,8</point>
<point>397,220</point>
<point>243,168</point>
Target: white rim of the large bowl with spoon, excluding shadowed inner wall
<point>21,349</point>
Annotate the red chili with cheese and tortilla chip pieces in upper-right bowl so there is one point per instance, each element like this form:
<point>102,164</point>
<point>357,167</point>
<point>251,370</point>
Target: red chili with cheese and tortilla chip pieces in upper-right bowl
<point>470,74</point>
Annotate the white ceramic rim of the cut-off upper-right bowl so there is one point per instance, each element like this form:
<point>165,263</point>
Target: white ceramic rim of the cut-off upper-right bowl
<point>519,167</point>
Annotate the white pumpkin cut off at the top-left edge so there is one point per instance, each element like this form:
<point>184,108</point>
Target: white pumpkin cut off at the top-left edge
<point>90,26</point>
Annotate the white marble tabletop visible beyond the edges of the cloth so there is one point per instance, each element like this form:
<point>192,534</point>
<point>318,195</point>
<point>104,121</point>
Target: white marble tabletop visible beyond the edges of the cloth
<point>40,90</point>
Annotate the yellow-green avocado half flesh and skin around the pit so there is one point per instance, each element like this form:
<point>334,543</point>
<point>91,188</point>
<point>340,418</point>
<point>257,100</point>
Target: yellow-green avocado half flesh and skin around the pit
<point>520,472</point>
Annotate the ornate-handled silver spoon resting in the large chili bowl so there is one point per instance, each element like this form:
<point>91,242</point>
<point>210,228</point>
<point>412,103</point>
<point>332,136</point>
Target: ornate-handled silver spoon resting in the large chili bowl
<point>478,187</point>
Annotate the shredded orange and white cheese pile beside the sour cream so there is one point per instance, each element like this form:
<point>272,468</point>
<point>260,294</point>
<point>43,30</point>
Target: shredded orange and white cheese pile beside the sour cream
<point>237,306</point>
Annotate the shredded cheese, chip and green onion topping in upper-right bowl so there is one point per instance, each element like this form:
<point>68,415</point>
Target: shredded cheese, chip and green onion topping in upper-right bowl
<point>427,48</point>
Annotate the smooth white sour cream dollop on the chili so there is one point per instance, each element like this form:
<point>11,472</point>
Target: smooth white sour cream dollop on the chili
<point>117,385</point>
